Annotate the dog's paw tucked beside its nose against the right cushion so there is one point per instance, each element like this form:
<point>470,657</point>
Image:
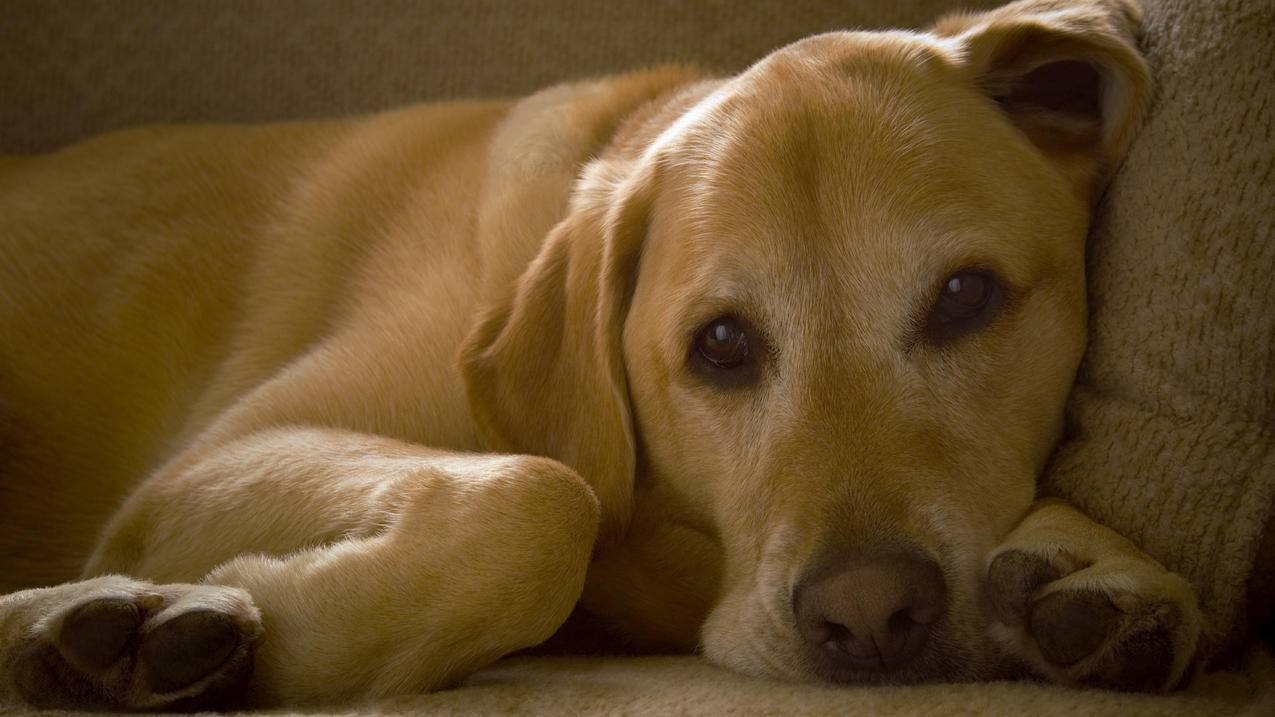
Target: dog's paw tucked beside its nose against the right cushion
<point>1079,604</point>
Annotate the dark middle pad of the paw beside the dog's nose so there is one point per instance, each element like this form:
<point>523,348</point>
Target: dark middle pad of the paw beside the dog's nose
<point>1070,626</point>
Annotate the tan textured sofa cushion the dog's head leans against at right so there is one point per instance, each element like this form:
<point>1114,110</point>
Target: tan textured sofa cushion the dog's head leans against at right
<point>1175,411</point>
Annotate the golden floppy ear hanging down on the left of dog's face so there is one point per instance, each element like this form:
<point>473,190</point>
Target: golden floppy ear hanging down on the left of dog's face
<point>543,368</point>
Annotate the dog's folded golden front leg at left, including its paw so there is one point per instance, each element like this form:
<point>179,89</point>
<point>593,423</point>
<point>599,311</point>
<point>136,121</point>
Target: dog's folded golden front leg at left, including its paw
<point>377,568</point>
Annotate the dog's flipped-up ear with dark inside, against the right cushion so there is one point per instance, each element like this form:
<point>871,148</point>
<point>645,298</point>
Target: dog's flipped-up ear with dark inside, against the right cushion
<point>1068,73</point>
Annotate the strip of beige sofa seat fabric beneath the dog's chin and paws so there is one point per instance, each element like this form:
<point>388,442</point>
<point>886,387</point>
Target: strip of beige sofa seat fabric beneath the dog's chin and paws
<point>660,687</point>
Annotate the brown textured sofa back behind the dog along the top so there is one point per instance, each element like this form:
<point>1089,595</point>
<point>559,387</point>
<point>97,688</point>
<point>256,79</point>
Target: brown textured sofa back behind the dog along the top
<point>75,68</point>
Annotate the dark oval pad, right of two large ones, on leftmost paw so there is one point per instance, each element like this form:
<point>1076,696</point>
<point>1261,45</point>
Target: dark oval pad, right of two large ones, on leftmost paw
<point>188,649</point>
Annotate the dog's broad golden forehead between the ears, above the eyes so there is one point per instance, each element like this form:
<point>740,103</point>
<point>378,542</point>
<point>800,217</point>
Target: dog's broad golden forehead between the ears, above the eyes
<point>856,156</point>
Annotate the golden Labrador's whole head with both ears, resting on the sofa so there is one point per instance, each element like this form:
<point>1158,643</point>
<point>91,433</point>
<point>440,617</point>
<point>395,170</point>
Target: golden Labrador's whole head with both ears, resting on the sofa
<point>809,334</point>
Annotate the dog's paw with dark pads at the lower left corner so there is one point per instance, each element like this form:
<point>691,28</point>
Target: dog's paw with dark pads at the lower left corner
<point>117,644</point>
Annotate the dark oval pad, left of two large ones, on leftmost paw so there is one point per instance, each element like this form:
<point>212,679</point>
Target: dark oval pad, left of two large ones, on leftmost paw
<point>96,636</point>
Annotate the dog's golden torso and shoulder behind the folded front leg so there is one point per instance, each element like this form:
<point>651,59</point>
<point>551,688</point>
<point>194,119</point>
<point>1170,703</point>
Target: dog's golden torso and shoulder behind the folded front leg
<point>154,277</point>
